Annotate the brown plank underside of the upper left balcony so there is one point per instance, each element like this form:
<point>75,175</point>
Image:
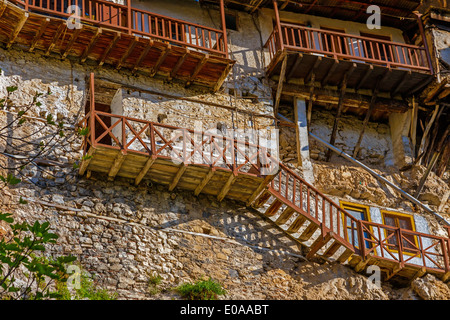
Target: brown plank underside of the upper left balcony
<point>50,35</point>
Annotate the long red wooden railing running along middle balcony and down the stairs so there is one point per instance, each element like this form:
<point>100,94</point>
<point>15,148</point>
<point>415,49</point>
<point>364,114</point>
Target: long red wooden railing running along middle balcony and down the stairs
<point>362,237</point>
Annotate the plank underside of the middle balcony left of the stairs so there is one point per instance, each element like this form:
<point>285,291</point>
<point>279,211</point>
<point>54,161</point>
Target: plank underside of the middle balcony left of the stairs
<point>164,171</point>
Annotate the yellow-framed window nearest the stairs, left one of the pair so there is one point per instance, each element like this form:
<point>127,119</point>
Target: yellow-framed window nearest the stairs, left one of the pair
<point>359,212</point>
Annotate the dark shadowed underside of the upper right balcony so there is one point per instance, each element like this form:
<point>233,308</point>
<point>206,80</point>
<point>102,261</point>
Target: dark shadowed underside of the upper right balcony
<point>330,72</point>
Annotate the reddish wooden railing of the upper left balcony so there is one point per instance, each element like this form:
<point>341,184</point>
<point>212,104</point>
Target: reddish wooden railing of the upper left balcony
<point>127,19</point>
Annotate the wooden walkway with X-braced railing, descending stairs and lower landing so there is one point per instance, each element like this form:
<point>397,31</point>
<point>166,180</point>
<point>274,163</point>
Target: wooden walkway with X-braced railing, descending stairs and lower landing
<point>120,146</point>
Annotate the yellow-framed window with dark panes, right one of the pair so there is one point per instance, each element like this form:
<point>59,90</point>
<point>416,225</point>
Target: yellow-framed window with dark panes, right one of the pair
<point>403,221</point>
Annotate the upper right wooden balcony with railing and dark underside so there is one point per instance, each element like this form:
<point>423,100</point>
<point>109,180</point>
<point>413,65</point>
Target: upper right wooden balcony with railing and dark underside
<point>329,57</point>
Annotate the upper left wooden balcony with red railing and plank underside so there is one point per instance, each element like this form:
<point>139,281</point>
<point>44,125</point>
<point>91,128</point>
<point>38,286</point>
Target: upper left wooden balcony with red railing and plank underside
<point>118,35</point>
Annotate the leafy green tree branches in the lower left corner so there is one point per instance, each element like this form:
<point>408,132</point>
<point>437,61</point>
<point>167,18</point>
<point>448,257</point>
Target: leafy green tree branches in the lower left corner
<point>21,255</point>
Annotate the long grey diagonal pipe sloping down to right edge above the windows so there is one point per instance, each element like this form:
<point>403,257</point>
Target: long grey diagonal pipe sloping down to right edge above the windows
<point>377,176</point>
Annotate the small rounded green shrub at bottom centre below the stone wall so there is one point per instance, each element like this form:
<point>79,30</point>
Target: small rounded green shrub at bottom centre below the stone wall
<point>201,290</point>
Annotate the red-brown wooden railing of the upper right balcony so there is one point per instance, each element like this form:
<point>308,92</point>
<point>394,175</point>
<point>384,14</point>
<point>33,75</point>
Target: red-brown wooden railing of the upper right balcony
<point>347,47</point>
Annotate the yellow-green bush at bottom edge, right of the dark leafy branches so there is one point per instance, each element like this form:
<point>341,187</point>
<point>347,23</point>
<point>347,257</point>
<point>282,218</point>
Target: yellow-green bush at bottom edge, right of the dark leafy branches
<point>86,291</point>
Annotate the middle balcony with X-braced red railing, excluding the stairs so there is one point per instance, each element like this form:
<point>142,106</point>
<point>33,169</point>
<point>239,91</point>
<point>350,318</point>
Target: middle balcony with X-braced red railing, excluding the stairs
<point>203,162</point>
